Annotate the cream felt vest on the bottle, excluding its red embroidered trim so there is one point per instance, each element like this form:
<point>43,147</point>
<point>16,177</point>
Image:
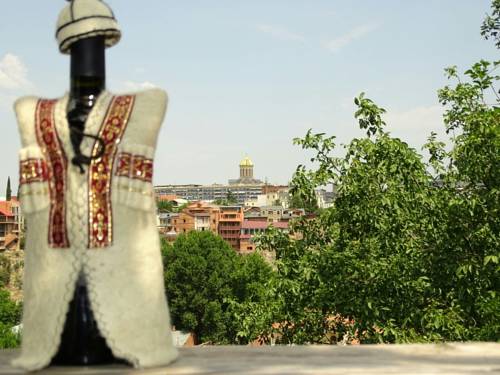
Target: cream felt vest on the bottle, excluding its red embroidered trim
<point>125,277</point>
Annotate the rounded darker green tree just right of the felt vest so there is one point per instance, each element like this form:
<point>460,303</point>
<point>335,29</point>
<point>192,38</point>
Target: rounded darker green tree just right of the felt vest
<point>202,275</point>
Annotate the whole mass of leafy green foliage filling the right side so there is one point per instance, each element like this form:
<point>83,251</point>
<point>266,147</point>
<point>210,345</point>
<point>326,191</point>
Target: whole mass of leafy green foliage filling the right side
<point>410,251</point>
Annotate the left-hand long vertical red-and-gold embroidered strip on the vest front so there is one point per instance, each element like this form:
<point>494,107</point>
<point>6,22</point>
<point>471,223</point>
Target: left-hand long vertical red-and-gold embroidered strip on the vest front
<point>56,163</point>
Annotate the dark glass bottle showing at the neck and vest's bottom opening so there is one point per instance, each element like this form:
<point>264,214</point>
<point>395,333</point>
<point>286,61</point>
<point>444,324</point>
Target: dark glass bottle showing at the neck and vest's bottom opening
<point>81,341</point>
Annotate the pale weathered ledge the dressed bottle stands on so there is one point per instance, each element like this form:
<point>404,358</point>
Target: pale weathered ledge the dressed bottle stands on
<point>450,358</point>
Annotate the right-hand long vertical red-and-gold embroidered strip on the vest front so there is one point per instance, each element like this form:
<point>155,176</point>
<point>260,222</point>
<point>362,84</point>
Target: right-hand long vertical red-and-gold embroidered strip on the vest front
<point>100,172</point>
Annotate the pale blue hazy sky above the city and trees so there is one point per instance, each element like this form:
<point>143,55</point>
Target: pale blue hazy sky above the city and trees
<point>246,77</point>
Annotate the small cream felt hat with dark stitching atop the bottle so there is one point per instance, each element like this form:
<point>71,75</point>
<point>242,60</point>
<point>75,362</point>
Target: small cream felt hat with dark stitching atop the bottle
<point>83,19</point>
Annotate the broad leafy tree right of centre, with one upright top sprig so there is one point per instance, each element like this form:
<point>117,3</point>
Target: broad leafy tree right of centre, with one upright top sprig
<point>352,258</point>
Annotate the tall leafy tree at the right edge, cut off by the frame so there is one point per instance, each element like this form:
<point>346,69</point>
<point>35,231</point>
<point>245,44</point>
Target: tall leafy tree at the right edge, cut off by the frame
<point>469,245</point>
